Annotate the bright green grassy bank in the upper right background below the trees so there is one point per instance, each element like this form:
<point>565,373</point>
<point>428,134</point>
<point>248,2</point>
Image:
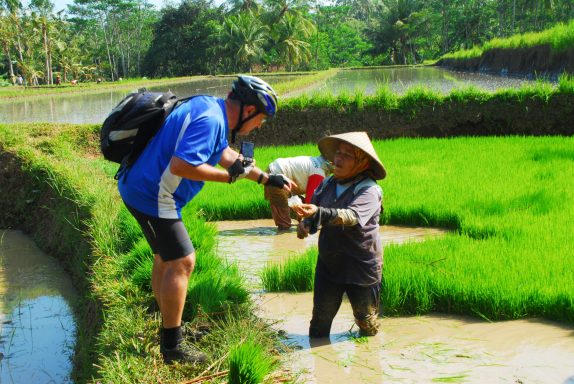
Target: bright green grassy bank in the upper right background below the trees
<point>559,38</point>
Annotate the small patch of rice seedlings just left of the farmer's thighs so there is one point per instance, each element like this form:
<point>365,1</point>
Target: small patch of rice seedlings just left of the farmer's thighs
<point>296,274</point>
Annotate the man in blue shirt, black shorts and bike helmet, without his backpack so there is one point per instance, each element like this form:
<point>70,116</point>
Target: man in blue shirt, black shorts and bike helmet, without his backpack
<point>172,170</point>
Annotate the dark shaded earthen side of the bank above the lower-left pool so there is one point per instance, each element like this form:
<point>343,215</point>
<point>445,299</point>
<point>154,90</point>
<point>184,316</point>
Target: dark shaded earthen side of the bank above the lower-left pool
<point>30,205</point>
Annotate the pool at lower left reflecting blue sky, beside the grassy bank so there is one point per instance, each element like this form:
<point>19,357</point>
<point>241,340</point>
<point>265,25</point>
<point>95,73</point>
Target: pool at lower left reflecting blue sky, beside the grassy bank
<point>37,327</point>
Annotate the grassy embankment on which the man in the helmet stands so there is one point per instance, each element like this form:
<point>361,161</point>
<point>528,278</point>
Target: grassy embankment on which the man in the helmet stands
<point>115,270</point>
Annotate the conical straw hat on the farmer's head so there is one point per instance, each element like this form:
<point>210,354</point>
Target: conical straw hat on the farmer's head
<point>328,146</point>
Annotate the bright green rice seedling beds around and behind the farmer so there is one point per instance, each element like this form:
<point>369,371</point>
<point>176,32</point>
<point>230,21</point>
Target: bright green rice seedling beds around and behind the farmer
<point>507,201</point>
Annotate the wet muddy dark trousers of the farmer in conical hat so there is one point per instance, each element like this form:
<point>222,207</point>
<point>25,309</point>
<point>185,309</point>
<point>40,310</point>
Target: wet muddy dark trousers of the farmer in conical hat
<point>327,298</point>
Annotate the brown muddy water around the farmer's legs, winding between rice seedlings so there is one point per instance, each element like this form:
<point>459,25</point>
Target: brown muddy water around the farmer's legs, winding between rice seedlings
<point>432,348</point>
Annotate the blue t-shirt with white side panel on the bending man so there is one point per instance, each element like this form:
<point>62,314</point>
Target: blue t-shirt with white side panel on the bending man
<point>195,132</point>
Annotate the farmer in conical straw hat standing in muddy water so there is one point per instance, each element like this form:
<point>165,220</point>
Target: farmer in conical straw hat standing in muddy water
<point>346,207</point>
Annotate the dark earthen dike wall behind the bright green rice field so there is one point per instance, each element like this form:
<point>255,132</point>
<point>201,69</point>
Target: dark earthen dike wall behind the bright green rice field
<point>495,115</point>
